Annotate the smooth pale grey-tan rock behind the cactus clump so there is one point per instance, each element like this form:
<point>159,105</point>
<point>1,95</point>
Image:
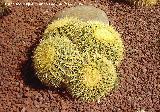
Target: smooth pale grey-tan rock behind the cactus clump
<point>85,13</point>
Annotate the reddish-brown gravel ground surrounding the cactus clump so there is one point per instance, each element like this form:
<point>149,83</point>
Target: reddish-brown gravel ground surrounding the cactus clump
<point>139,87</point>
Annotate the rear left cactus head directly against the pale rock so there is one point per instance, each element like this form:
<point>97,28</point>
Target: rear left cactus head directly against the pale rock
<point>69,27</point>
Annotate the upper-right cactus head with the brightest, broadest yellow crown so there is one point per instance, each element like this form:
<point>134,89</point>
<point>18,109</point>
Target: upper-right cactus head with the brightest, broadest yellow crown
<point>106,41</point>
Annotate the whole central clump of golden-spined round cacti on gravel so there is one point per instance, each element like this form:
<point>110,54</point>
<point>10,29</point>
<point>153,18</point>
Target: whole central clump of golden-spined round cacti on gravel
<point>83,56</point>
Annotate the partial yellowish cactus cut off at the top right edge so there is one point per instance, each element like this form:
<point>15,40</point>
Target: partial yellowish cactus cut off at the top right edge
<point>144,2</point>
